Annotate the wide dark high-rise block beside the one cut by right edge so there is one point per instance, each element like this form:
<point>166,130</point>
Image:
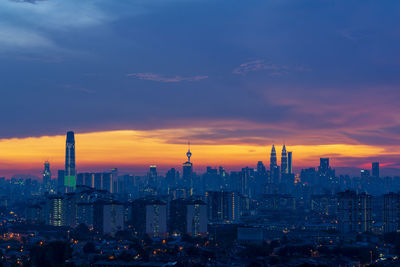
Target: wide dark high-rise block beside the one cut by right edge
<point>354,212</point>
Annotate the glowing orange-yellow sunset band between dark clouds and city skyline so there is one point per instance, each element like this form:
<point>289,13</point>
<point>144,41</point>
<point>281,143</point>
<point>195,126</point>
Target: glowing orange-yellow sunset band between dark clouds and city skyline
<point>131,149</point>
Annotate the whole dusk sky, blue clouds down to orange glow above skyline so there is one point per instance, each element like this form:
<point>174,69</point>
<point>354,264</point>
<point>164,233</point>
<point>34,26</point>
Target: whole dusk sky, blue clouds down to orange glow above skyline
<point>137,79</point>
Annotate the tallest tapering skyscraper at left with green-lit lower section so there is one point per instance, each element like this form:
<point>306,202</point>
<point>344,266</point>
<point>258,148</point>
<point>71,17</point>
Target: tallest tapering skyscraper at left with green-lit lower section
<point>70,171</point>
